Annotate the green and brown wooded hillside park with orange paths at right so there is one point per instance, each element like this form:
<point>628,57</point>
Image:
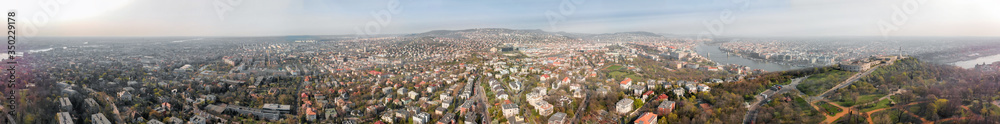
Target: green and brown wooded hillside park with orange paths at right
<point>909,91</point>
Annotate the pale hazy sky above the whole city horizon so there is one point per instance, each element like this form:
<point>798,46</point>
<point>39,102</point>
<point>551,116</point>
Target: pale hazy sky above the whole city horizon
<point>371,17</point>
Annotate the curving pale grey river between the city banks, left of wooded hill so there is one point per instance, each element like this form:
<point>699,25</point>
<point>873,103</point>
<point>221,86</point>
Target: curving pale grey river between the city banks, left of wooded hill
<point>717,55</point>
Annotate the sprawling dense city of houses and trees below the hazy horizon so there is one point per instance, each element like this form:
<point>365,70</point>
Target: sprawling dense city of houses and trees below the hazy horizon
<point>488,75</point>
